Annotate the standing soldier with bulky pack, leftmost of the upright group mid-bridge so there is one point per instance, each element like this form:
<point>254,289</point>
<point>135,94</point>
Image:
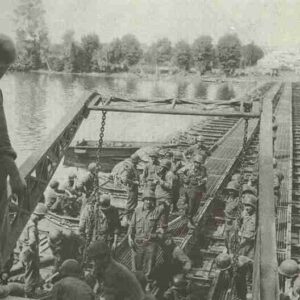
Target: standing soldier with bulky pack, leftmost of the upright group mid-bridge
<point>130,177</point>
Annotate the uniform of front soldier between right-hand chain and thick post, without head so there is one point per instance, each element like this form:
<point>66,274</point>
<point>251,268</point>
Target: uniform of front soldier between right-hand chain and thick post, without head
<point>247,234</point>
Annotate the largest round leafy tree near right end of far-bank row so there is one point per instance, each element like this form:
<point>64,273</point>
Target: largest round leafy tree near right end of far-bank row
<point>229,53</point>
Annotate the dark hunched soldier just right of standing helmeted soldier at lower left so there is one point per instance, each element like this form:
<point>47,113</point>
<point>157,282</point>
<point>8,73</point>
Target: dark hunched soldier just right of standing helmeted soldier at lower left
<point>65,246</point>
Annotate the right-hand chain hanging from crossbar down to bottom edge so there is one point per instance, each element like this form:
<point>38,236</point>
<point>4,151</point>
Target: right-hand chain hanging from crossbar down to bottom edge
<point>236,239</point>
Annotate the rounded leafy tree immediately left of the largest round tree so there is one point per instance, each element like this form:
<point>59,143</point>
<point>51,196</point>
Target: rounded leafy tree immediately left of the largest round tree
<point>203,53</point>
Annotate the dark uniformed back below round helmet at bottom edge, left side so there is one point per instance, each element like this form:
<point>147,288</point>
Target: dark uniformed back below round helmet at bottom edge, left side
<point>72,288</point>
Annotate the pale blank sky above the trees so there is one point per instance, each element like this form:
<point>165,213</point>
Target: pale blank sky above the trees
<point>269,23</point>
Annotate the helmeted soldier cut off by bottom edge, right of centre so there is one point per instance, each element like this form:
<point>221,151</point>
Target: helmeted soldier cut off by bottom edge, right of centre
<point>180,289</point>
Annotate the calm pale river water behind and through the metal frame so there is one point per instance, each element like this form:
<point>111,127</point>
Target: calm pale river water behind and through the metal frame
<point>35,103</point>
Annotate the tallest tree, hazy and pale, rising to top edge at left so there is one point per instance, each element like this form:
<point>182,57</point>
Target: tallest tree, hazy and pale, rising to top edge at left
<point>31,33</point>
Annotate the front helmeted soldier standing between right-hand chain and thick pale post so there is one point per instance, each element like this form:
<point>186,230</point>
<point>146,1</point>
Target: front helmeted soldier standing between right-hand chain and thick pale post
<point>248,228</point>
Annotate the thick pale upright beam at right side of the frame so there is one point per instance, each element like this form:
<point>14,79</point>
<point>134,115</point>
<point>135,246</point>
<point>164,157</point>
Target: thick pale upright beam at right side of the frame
<point>266,285</point>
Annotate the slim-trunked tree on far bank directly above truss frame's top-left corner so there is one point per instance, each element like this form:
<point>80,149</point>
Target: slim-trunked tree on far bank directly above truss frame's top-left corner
<point>90,44</point>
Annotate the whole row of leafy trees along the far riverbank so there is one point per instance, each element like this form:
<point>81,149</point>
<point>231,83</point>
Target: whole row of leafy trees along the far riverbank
<point>35,51</point>
